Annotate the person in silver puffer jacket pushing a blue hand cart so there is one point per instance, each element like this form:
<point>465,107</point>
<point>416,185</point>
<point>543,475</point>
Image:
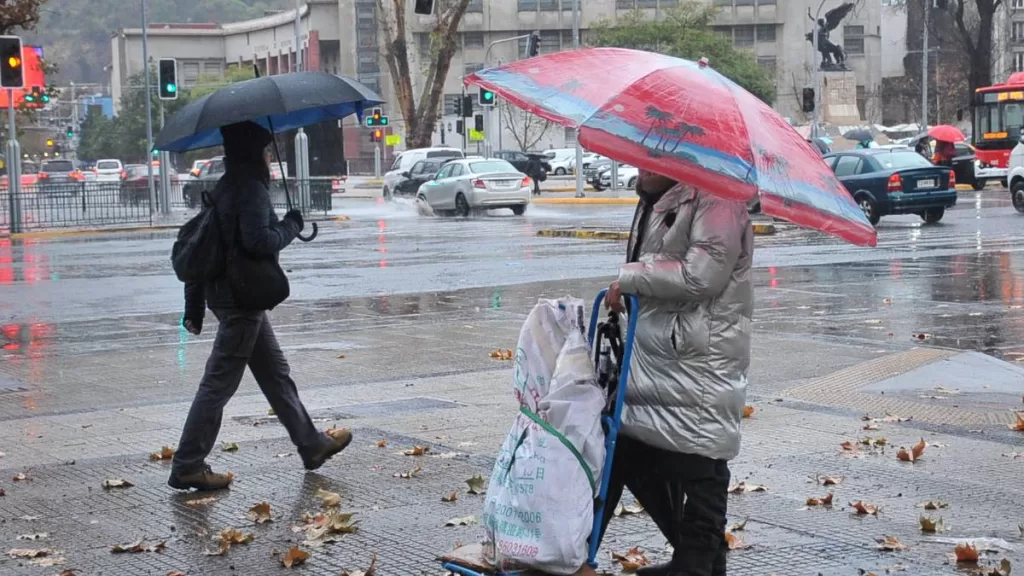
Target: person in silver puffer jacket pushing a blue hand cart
<point>690,264</point>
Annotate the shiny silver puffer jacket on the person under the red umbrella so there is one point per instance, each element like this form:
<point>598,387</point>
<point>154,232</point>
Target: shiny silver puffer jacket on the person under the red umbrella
<point>689,375</point>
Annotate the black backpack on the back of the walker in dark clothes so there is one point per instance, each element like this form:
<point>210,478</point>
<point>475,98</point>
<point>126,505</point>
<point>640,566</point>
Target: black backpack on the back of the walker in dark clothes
<point>199,254</point>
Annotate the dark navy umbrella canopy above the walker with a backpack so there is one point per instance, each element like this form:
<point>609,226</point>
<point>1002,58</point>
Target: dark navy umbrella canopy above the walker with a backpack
<point>287,101</point>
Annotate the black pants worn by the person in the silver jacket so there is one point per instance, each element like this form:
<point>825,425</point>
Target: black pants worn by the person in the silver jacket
<point>687,496</point>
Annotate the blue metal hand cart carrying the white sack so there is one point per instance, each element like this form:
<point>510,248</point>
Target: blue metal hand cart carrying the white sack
<point>612,352</point>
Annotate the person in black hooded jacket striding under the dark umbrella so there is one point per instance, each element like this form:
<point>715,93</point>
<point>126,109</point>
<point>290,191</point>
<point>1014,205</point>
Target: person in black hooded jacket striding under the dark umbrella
<point>244,337</point>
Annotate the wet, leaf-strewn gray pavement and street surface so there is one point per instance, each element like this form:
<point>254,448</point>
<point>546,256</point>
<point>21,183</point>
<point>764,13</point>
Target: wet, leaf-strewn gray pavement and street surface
<point>390,331</point>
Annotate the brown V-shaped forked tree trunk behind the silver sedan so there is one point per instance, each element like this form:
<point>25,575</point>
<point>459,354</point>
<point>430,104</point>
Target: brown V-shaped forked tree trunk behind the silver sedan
<point>420,114</point>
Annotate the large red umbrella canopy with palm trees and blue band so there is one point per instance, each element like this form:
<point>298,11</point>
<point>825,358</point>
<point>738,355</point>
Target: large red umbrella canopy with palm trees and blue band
<point>688,122</point>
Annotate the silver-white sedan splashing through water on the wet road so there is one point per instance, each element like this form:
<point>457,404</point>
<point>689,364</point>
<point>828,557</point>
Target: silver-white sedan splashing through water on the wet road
<point>463,186</point>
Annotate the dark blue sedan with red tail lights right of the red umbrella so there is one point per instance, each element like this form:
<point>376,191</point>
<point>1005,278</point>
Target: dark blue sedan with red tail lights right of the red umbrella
<point>895,182</point>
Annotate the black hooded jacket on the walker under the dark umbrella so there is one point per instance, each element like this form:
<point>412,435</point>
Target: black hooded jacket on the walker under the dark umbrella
<point>247,216</point>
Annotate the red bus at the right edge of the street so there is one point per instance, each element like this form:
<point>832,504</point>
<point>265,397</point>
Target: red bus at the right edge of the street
<point>999,118</point>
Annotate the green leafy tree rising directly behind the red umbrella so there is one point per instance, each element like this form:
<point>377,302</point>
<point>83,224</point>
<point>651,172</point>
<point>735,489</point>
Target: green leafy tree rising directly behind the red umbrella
<point>687,32</point>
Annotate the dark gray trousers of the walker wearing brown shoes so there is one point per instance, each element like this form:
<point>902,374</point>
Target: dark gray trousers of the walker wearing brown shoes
<point>244,339</point>
